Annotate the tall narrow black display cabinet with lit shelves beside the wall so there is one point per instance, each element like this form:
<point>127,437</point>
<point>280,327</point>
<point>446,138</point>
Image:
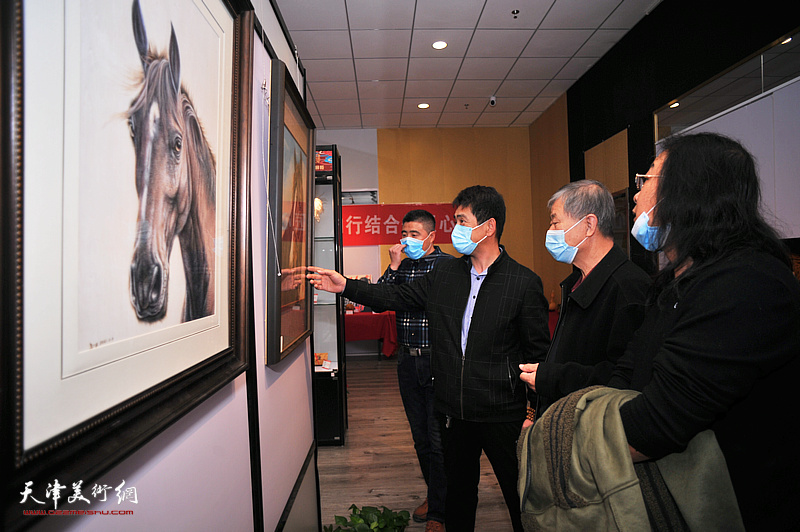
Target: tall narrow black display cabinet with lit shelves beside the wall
<point>329,382</point>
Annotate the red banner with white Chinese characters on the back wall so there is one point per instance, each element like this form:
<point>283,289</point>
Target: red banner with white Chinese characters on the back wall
<point>371,225</point>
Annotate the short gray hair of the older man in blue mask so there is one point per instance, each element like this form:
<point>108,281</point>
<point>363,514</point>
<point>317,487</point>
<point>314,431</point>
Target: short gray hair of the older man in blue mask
<point>587,197</point>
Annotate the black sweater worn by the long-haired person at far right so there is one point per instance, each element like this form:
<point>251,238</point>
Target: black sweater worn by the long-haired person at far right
<point>723,352</point>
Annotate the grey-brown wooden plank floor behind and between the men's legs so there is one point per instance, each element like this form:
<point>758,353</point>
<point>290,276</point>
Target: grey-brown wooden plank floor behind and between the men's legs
<point>378,466</point>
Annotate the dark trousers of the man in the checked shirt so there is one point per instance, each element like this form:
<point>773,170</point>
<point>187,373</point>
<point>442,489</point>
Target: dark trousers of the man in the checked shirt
<point>416,389</point>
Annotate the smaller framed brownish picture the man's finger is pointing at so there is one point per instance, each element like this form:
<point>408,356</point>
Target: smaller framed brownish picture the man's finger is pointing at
<point>291,175</point>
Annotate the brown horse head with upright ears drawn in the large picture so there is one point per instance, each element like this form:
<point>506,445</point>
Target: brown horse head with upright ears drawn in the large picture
<point>175,182</point>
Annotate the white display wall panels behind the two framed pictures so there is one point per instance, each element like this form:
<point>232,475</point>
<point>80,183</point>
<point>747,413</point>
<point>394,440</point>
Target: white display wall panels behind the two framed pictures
<point>196,475</point>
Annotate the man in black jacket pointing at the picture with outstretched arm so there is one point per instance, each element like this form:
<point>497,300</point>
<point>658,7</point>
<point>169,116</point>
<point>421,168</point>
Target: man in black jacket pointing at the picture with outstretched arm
<point>487,315</point>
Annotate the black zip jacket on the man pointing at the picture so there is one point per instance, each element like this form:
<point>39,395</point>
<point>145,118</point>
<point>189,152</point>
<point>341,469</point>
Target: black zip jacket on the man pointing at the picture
<point>509,327</point>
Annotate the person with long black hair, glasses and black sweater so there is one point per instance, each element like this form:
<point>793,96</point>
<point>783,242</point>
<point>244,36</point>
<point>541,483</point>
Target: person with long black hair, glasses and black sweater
<point>719,347</point>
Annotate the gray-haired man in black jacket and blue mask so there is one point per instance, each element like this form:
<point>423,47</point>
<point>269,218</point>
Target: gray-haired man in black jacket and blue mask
<point>602,301</point>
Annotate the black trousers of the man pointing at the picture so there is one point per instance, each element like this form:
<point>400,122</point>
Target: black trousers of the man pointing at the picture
<point>463,443</point>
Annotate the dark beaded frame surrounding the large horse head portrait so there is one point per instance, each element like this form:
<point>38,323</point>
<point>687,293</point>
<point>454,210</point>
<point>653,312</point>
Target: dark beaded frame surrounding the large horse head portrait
<point>92,447</point>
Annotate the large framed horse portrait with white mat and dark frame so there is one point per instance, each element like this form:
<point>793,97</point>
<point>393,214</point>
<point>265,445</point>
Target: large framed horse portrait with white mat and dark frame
<point>124,227</point>
